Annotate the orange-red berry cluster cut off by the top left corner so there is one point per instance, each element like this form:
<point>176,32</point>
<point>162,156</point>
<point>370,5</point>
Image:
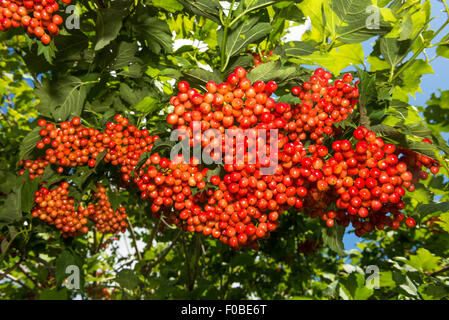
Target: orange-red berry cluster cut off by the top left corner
<point>37,17</point>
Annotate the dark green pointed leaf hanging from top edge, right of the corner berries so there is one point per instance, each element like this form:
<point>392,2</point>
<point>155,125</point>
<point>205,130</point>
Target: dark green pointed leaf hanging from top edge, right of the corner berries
<point>109,23</point>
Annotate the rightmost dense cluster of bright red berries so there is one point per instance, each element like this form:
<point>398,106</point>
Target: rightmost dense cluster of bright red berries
<point>365,180</point>
